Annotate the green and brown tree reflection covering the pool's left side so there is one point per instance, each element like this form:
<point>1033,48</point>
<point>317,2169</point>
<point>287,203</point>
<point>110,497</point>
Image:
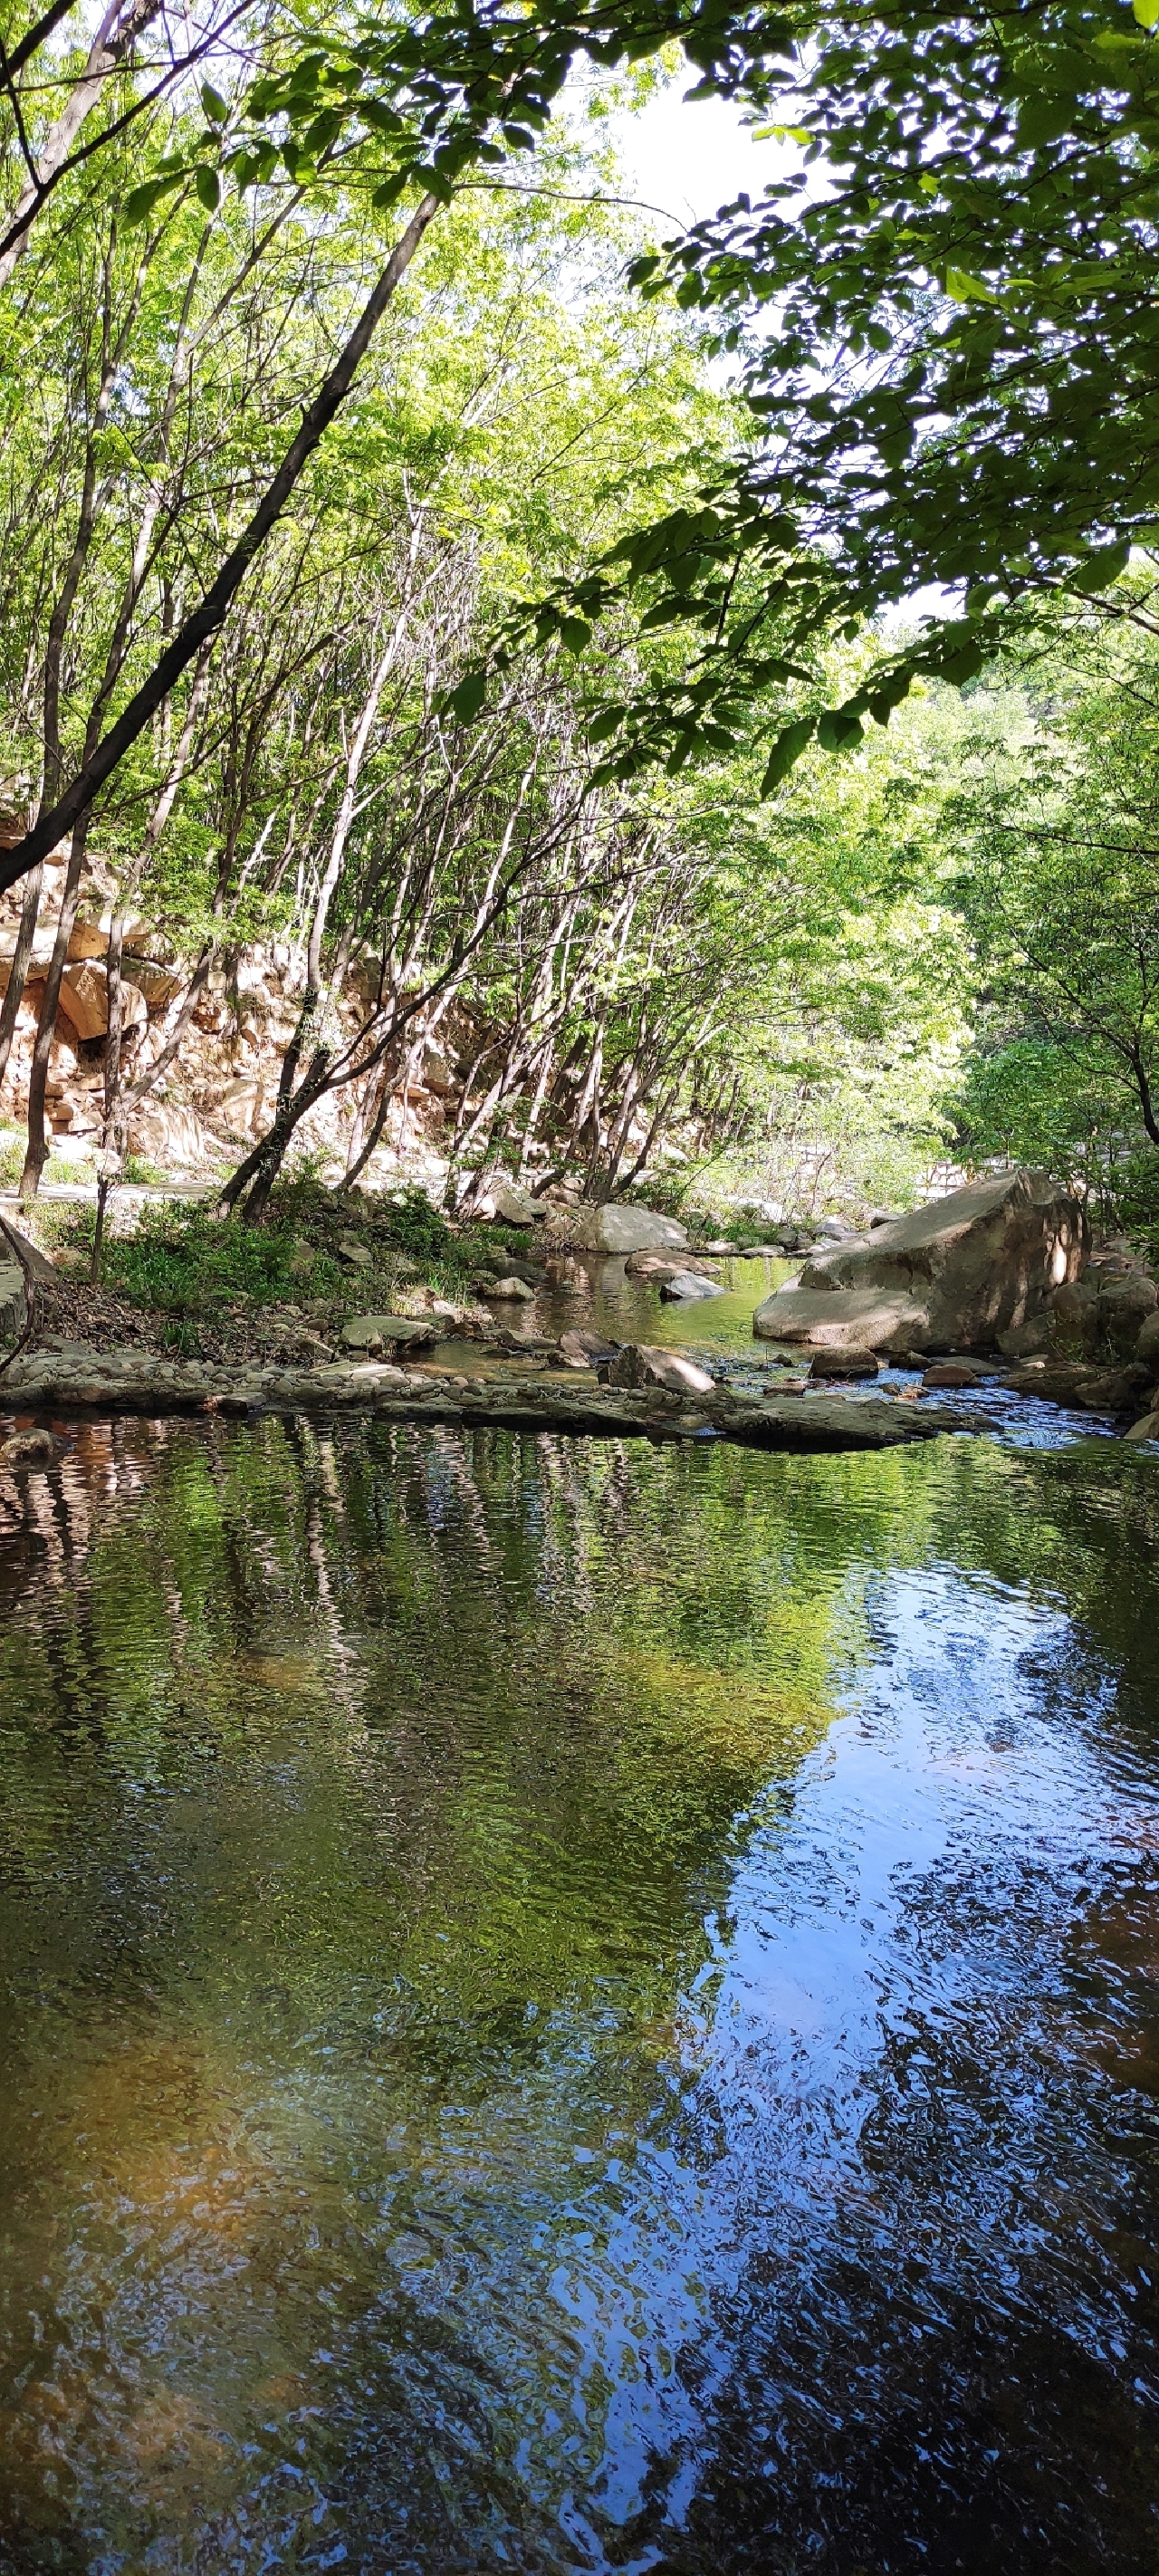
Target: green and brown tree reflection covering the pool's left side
<point>367,1794</point>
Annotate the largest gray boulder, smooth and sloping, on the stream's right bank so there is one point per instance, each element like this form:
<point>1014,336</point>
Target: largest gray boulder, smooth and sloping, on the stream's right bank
<point>952,1276</point>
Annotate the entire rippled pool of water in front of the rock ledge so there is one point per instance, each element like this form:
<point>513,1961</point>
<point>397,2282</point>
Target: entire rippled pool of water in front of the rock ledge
<point>578,2008</point>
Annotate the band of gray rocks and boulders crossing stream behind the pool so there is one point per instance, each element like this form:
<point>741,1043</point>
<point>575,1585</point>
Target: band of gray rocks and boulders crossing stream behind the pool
<point>993,1284</point>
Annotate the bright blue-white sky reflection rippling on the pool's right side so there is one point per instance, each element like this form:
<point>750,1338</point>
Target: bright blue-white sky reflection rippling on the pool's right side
<point>900,1941</point>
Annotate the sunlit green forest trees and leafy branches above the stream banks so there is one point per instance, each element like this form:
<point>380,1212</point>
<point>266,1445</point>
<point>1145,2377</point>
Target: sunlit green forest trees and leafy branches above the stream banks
<point>419,568</point>
